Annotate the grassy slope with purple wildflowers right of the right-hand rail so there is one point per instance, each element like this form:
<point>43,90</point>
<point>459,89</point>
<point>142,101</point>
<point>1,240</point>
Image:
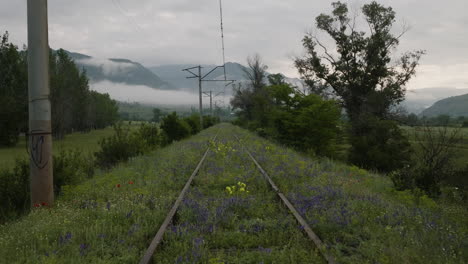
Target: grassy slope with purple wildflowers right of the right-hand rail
<point>360,216</point>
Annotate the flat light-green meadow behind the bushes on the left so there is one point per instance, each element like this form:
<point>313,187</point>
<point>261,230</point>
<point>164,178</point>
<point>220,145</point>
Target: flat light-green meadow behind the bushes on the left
<point>85,142</point>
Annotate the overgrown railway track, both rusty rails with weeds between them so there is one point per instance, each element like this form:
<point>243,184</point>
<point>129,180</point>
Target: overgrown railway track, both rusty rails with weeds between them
<point>314,245</point>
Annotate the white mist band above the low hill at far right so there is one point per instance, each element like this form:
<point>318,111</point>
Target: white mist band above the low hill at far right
<point>420,99</point>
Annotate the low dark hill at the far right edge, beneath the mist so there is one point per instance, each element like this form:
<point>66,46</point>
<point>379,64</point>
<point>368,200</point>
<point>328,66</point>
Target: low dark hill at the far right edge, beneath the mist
<point>453,106</point>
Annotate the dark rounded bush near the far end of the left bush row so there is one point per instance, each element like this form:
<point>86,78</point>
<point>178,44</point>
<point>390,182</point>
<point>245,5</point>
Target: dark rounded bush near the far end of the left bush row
<point>174,128</point>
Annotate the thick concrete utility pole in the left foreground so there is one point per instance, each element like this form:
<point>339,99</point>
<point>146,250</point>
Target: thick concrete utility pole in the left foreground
<point>40,128</point>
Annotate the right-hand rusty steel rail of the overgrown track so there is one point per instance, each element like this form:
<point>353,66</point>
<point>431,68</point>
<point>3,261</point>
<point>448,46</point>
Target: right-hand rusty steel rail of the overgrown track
<point>307,229</point>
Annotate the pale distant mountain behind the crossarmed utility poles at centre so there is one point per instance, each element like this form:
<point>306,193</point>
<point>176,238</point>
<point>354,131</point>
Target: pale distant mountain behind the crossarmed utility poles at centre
<point>234,71</point>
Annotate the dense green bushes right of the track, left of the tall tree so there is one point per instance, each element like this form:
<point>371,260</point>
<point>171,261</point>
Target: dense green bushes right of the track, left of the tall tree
<point>305,122</point>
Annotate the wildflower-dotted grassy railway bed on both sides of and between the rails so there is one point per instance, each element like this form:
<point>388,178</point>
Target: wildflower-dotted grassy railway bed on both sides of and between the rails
<point>360,218</point>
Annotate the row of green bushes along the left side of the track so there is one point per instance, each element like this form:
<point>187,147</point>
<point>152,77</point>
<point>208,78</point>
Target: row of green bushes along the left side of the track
<point>72,167</point>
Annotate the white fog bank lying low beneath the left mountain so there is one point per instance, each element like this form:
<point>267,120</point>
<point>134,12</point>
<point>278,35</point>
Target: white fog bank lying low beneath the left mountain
<point>144,94</point>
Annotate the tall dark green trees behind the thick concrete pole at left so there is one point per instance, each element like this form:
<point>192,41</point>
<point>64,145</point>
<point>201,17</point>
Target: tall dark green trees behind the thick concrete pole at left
<point>74,106</point>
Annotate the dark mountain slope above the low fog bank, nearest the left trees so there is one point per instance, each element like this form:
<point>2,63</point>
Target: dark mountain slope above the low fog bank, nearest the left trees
<point>118,71</point>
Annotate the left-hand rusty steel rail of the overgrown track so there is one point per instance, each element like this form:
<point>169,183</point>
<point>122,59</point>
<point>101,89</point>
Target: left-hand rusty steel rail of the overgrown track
<point>159,235</point>
